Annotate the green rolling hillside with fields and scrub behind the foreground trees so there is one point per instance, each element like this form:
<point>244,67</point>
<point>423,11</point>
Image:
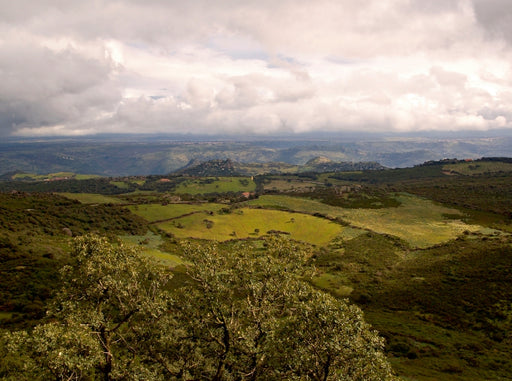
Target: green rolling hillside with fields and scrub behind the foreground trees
<point>425,251</point>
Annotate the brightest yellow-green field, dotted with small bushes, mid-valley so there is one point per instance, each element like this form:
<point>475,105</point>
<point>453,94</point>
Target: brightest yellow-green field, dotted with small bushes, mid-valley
<point>247,222</point>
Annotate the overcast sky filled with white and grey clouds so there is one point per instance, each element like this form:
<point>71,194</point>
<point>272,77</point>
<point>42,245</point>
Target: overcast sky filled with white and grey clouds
<point>260,67</point>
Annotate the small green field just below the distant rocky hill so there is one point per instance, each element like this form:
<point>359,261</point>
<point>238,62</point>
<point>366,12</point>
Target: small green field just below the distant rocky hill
<point>216,185</point>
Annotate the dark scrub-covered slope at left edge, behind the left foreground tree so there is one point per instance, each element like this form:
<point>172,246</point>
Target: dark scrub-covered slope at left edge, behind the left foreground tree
<point>34,234</point>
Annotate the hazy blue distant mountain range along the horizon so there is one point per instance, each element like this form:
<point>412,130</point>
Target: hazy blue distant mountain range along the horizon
<point>116,156</point>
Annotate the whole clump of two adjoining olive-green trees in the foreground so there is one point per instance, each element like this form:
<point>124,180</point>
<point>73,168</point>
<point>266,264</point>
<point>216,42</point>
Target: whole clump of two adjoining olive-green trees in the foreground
<point>244,314</point>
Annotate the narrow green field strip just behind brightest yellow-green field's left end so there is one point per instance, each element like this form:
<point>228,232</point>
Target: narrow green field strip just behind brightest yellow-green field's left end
<point>158,212</point>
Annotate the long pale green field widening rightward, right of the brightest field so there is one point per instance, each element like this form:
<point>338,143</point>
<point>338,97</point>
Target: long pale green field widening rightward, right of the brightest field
<point>420,222</point>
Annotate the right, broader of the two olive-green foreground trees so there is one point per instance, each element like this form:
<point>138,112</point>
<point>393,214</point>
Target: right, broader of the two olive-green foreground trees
<point>249,315</point>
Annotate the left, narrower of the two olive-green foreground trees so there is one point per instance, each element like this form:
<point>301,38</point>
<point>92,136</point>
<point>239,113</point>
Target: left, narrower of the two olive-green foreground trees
<point>100,319</point>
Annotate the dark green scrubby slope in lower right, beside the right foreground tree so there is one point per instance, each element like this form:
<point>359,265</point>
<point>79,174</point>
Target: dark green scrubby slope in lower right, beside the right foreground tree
<point>443,310</point>
